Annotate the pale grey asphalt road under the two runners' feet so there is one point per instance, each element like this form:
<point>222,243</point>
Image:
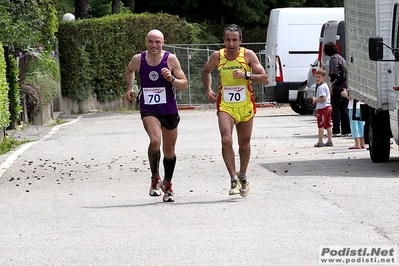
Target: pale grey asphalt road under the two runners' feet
<point>78,195</point>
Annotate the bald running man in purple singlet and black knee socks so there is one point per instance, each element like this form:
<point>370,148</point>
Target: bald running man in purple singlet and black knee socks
<point>160,75</point>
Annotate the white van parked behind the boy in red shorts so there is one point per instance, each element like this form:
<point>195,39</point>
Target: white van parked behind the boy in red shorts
<point>291,46</point>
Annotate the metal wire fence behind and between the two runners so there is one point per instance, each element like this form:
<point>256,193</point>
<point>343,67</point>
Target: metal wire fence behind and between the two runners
<point>192,58</point>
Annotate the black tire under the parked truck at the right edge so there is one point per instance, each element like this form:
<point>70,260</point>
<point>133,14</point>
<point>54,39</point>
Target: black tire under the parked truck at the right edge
<point>379,136</point>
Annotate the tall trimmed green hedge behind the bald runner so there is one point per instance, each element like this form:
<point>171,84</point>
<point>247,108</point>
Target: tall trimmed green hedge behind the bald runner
<point>94,53</point>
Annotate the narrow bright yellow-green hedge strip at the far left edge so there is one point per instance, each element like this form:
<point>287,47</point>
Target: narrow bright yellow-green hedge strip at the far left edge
<point>4,102</point>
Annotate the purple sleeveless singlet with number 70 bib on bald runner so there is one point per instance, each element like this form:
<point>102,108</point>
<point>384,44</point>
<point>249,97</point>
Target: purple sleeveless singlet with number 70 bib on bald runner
<point>157,95</point>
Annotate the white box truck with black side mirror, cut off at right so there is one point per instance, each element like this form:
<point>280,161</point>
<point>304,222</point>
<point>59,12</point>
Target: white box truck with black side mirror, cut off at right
<point>372,53</point>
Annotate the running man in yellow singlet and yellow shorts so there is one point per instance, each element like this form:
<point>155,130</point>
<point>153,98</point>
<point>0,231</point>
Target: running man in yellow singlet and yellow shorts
<point>238,67</point>
